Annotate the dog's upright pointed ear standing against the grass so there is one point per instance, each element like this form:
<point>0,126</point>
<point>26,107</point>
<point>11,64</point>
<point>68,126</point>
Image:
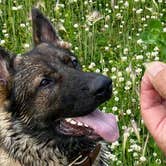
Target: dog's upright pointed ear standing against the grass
<point>43,31</point>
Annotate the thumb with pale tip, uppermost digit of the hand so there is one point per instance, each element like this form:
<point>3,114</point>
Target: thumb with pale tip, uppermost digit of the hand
<point>157,74</point>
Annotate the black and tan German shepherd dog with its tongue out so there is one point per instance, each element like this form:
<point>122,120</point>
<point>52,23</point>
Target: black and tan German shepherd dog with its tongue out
<point>48,106</point>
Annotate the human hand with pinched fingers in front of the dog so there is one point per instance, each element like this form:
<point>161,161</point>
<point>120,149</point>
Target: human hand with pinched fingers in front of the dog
<point>153,101</point>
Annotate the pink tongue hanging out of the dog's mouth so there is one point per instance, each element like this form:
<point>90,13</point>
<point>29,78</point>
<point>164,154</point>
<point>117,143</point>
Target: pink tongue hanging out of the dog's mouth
<point>104,124</point>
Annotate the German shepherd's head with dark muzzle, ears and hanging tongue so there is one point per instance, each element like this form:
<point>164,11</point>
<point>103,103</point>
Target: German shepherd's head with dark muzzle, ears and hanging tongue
<point>50,93</point>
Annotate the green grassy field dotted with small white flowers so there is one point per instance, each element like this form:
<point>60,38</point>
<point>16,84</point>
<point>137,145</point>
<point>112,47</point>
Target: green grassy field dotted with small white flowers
<point>113,37</point>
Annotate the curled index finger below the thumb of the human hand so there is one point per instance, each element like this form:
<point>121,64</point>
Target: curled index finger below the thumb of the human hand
<point>153,111</point>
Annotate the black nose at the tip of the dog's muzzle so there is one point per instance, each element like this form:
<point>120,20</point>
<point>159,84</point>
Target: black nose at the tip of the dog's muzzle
<point>101,87</point>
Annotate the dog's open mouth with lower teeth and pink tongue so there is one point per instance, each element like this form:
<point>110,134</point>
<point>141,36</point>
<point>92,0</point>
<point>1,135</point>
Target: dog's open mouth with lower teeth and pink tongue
<point>95,126</point>
